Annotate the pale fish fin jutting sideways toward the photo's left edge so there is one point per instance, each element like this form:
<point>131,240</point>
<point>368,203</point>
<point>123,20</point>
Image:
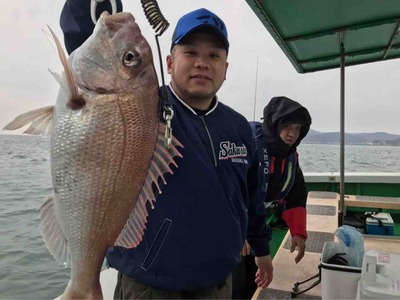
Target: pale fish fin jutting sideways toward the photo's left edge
<point>39,120</point>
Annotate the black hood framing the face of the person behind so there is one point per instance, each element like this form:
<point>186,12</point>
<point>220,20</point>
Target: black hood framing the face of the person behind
<point>276,112</point>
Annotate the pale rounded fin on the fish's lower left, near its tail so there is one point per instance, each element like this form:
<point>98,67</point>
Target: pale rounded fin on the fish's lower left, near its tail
<point>52,234</point>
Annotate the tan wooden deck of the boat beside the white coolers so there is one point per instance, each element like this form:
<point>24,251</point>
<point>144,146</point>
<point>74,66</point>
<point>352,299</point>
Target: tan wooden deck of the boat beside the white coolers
<point>321,223</point>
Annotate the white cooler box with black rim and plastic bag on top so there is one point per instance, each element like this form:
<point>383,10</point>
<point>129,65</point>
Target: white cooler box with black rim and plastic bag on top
<point>337,281</point>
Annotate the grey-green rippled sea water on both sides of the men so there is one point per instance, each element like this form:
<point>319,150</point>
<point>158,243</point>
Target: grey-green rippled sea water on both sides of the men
<point>27,269</point>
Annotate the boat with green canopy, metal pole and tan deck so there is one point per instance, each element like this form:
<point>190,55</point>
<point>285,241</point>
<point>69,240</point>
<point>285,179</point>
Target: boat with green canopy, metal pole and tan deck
<point>320,35</point>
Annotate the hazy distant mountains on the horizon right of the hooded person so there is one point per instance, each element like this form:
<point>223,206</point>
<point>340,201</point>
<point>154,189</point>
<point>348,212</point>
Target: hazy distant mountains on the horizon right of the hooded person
<point>375,138</point>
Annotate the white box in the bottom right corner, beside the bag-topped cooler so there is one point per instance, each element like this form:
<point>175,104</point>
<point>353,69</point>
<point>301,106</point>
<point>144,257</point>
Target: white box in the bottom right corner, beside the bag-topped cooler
<point>380,276</point>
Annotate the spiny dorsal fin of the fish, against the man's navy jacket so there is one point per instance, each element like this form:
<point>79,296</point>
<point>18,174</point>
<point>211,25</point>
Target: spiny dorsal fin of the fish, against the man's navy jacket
<point>133,231</point>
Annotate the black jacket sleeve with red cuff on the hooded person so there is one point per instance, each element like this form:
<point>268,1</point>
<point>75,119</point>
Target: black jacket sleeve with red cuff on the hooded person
<point>295,214</point>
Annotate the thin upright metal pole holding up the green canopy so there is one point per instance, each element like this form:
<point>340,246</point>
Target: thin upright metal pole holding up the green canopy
<point>342,130</point>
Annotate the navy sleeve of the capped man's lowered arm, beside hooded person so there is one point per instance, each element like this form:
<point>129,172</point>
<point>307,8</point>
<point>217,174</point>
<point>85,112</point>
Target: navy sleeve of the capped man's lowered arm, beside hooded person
<point>259,233</point>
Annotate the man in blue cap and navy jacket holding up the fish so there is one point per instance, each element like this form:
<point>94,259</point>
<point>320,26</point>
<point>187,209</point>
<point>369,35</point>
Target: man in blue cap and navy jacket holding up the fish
<point>196,231</point>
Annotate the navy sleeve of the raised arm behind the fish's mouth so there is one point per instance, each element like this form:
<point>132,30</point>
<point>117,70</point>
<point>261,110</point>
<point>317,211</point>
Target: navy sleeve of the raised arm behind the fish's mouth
<point>76,22</point>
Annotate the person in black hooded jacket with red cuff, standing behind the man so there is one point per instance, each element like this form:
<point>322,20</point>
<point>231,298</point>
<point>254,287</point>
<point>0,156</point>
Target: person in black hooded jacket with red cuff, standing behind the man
<point>284,125</point>
